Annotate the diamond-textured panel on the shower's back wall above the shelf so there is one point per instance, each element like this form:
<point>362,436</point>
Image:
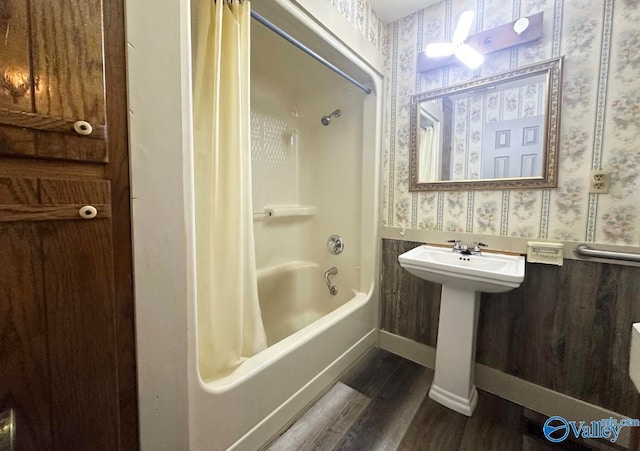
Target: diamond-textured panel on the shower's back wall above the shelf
<point>274,161</point>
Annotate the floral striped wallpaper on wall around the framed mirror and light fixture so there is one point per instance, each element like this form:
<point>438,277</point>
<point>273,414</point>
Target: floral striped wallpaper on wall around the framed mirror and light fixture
<point>600,121</point>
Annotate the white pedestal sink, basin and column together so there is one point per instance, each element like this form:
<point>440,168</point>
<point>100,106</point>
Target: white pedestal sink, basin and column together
<point>463,278</point>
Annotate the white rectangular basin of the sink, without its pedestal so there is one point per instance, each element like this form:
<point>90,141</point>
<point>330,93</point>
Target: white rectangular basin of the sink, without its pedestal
<point>487,272</point>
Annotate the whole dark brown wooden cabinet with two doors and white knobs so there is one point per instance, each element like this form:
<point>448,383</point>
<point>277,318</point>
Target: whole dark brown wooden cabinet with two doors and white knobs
<point>67,355</point>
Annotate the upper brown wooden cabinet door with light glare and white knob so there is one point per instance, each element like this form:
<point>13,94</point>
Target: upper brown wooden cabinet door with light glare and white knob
<point>52,89</point>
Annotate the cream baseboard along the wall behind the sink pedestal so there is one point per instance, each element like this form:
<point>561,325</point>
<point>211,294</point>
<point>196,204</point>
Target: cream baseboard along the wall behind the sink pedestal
<point>516,390</point>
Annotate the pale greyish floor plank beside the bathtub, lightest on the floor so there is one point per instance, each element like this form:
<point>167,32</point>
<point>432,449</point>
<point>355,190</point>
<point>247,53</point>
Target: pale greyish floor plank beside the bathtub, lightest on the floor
<point>324,425</point>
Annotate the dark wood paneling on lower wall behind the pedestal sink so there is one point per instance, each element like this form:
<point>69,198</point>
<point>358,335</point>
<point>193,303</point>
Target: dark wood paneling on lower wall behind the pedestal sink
<point>566,328</point>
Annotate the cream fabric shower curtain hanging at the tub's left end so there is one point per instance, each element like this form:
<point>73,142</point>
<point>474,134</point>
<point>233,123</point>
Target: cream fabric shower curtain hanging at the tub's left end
<point>229,320</point>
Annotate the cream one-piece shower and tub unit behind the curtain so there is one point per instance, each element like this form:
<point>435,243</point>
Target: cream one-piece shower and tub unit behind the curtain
<point>315,141</point>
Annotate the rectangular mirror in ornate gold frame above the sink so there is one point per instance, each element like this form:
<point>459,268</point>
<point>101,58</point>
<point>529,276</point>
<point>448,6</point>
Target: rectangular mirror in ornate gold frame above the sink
<point>496,132</point>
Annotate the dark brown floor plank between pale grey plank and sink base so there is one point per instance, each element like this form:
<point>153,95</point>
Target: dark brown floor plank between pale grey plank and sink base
<point>385,420</point>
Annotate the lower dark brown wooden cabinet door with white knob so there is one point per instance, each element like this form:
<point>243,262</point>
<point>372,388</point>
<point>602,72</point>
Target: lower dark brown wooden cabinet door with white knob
<point>57,314</point>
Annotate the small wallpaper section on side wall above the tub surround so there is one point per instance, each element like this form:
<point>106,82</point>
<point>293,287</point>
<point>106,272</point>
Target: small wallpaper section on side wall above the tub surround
<point>362,16</point>
